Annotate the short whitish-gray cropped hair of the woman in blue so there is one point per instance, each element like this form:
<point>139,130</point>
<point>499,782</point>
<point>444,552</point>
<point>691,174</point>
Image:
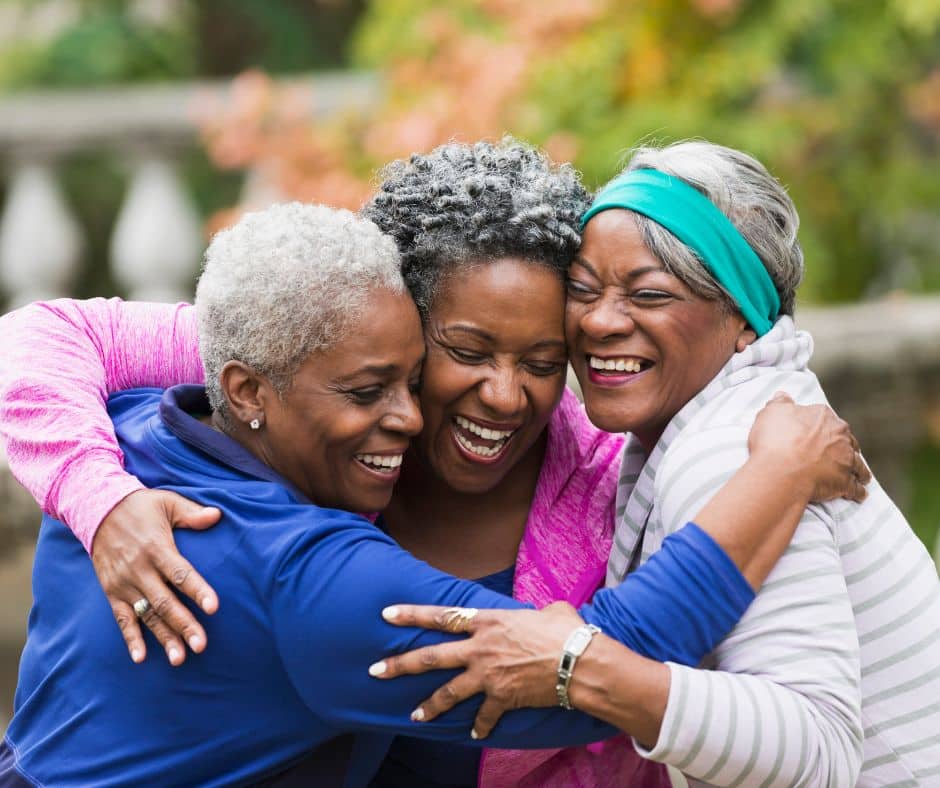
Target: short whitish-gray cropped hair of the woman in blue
<point>283,283</point>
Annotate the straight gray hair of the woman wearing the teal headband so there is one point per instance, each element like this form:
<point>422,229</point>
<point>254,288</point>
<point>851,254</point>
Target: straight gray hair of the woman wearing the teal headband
<point>754,201</point>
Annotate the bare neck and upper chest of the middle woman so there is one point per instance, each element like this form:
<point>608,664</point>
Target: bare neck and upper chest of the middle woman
<point>469,535</point>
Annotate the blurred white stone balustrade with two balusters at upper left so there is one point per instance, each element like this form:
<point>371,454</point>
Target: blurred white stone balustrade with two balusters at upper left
<point>157,239</point>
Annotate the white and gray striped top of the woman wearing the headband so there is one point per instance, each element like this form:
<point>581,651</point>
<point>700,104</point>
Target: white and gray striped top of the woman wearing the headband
<point>832,678</point>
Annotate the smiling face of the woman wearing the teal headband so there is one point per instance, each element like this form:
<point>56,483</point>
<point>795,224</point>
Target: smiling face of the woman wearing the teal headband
<point>642,343</point>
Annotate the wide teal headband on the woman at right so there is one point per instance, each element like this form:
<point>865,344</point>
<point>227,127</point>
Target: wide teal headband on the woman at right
<point>696,221</point>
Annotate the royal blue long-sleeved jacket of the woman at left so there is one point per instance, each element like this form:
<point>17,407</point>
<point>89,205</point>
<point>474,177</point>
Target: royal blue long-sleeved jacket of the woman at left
<point>301,590</point>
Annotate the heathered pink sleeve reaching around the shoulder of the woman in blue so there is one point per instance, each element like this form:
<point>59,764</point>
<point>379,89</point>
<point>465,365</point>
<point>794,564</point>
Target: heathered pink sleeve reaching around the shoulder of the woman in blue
<point>59,360</point>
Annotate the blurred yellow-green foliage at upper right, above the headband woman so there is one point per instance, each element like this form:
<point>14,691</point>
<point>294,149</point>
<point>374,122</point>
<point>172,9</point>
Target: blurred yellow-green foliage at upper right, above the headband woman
<point>840,98</point>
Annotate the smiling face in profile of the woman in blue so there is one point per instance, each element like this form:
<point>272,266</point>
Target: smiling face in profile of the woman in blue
<point>340,431</point>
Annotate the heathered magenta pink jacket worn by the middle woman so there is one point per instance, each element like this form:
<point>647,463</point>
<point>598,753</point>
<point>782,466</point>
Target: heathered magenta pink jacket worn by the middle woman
<point>60,360</point>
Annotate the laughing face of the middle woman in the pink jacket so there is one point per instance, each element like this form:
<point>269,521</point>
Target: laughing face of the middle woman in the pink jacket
<point>495,370</point>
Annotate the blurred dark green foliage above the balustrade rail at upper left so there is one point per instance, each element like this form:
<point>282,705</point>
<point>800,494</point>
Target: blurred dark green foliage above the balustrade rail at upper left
<point>114,41</point>
